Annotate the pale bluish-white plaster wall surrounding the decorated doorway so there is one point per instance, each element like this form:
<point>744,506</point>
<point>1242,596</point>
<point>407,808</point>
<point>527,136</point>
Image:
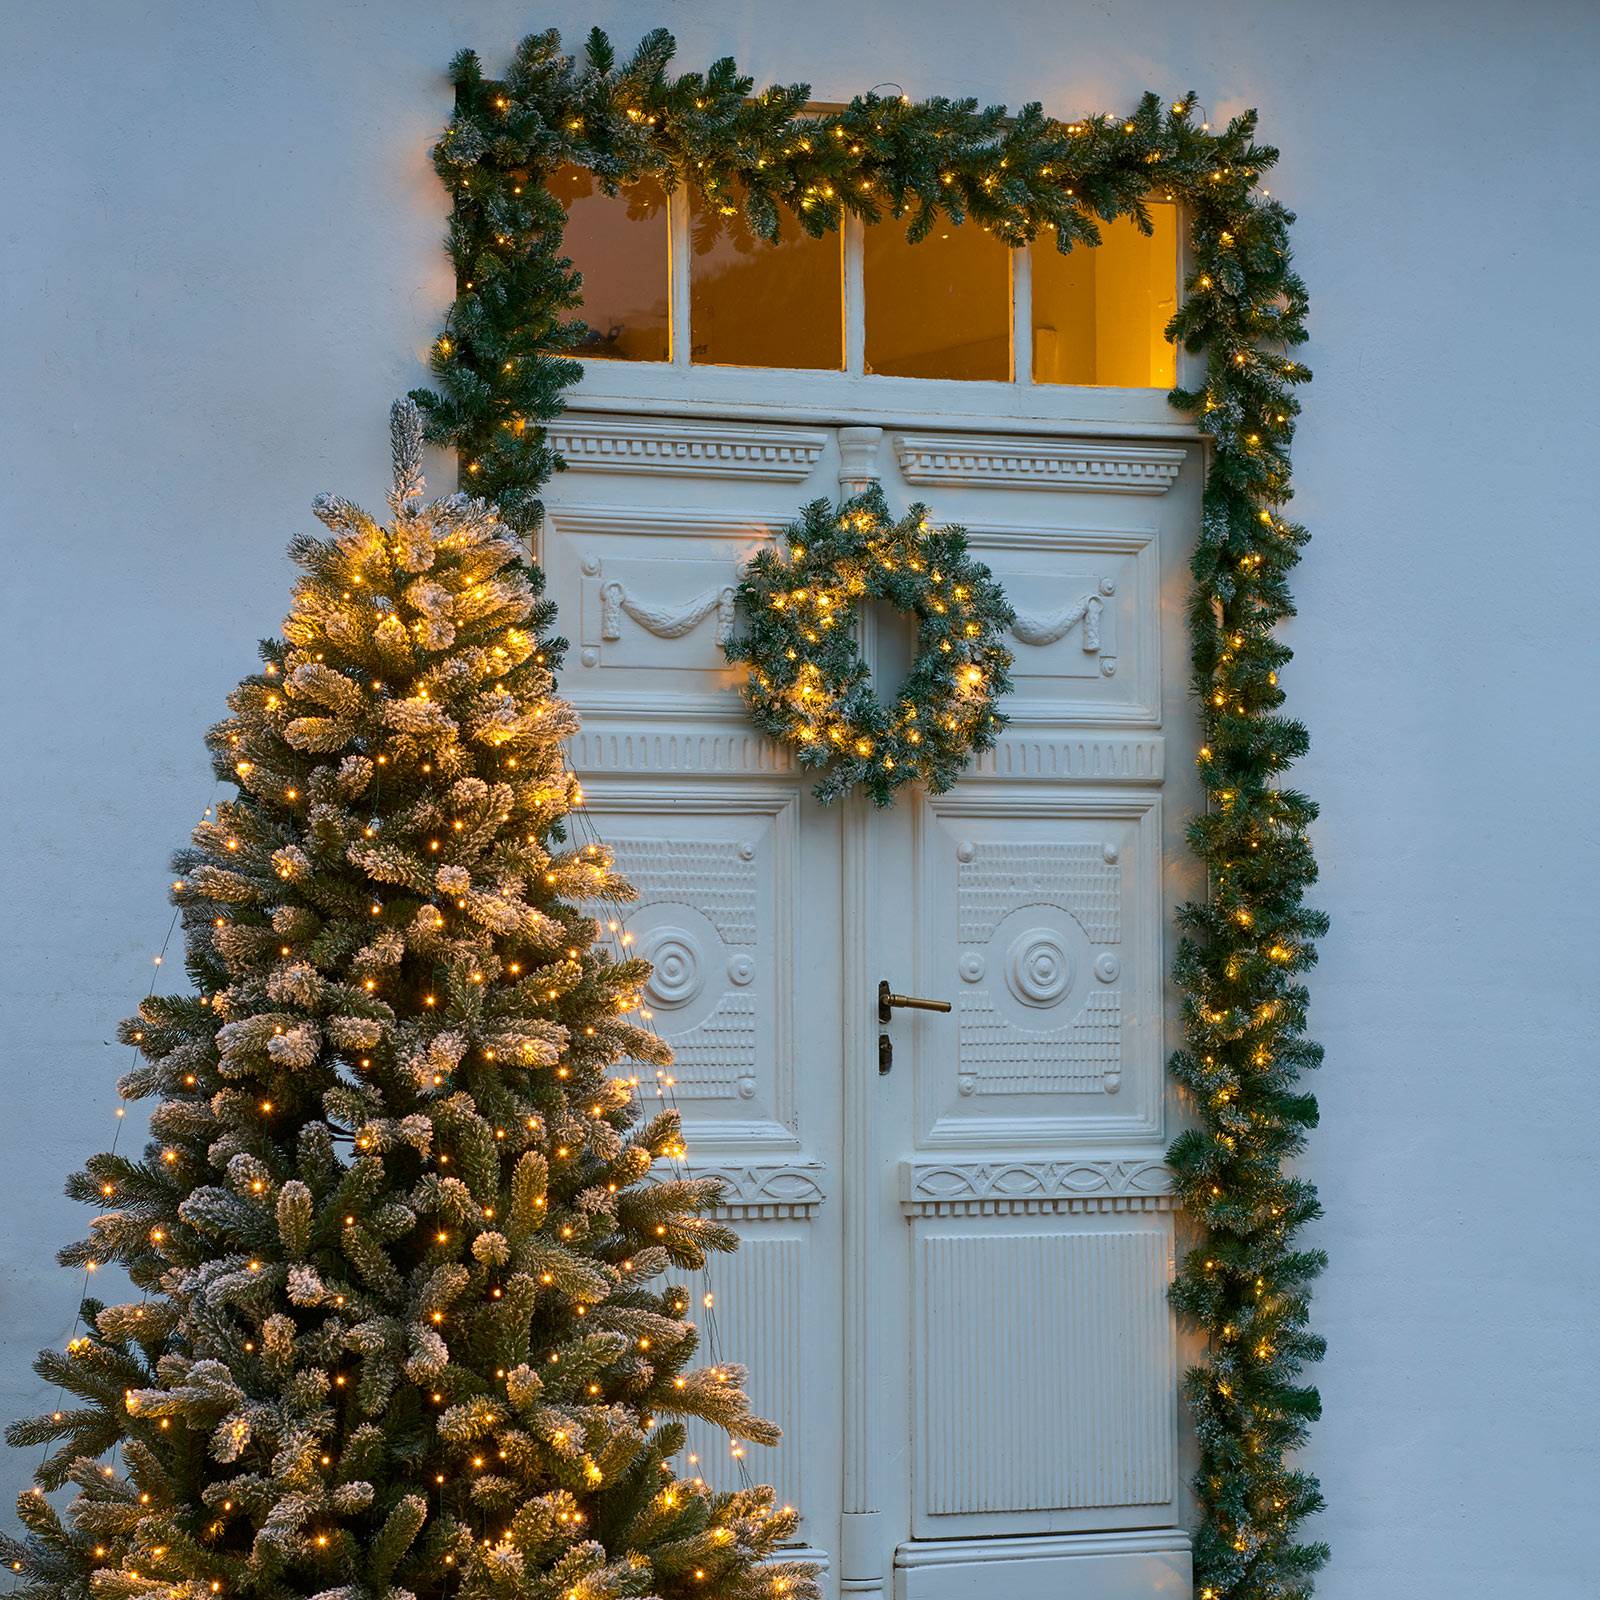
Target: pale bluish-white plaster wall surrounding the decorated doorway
<point>220,263</point>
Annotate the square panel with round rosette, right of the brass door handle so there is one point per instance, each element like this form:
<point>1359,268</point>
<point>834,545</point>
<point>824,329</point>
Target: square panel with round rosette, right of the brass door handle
<point>1044,924</point>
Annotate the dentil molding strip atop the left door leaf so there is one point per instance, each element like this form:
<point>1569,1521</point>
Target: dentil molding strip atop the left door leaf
<point>703,450</point>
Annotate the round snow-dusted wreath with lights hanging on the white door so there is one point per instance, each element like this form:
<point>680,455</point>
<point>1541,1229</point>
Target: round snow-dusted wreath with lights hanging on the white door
<point>809,686</point>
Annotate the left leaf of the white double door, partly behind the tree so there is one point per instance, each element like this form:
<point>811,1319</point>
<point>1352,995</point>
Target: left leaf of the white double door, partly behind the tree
<point>714,830</point>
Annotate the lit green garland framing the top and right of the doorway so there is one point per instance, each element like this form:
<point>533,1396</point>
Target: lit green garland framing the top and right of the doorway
<point>502,370</point>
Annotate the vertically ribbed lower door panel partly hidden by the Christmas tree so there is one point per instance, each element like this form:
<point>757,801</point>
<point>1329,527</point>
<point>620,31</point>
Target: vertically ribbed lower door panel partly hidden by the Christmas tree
<point>759,1322</point>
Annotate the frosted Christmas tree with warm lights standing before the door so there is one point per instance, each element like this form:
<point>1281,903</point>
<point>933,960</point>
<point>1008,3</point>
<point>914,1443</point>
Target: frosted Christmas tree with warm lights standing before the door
<point>406,1319</point>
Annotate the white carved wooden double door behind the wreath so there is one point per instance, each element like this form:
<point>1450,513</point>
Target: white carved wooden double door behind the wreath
<point>953,1281</point>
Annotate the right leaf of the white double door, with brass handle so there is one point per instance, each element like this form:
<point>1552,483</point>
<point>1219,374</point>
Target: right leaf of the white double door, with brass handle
<point>1033,1239</point>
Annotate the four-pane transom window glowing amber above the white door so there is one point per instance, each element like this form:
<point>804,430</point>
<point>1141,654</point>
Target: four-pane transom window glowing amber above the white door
<point>682,279</point>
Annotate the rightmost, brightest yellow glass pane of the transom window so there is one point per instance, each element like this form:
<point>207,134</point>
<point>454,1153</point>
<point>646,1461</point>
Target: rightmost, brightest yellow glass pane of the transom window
<point>1100,313</point>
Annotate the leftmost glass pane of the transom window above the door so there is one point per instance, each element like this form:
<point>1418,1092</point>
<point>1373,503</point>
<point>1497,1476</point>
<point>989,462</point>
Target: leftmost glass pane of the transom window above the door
<point>620,246</point>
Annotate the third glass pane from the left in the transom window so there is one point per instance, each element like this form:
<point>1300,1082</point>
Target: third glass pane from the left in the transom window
<point>938,310</point>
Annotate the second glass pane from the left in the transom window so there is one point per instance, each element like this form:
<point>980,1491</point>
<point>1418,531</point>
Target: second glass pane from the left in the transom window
<point>759,305</point>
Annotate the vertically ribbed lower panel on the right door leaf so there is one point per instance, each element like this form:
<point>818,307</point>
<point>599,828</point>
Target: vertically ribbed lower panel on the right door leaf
<point>1047,1382</point>
